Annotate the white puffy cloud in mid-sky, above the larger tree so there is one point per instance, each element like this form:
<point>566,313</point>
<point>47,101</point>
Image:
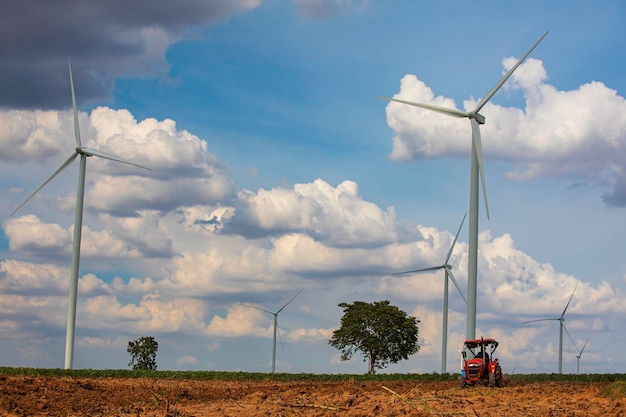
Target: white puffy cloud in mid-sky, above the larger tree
<point>336,216</point>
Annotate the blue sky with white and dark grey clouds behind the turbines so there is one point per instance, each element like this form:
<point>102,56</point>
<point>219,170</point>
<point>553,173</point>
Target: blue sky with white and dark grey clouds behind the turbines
<point>276,169</point>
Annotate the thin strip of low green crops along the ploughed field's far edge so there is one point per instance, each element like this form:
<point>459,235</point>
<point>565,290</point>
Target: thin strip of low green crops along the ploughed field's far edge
<point>221,375</point>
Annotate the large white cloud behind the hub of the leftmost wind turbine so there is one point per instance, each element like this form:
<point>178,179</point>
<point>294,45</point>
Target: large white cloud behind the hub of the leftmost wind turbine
<point>185,173</point>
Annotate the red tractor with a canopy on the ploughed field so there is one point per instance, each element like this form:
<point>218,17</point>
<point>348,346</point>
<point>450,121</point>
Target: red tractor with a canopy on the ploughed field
<point>479,366</point>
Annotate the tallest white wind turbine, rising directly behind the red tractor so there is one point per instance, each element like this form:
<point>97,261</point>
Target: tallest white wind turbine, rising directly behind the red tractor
<point>477,169</point>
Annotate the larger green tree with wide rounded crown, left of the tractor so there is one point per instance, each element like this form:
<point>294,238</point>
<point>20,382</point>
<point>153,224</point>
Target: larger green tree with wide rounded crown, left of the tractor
<point>383,333</point>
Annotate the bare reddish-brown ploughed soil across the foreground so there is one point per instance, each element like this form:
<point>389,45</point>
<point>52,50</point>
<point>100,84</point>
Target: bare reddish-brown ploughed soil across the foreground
<point>49,396</point>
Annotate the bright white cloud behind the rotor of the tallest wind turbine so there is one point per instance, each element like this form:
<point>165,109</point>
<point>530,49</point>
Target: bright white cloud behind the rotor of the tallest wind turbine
<point>578,134</point>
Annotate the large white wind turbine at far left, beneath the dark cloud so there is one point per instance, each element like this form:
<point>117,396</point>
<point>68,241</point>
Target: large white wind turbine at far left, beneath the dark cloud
<point>78,220</point>
